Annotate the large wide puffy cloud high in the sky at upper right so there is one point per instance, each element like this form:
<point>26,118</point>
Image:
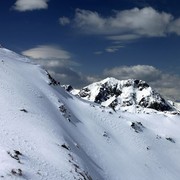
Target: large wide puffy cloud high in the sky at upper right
<point>124,24</point>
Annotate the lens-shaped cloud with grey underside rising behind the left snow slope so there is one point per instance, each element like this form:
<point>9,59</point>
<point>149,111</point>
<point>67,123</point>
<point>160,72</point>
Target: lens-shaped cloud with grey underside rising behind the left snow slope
<point>58,62</point>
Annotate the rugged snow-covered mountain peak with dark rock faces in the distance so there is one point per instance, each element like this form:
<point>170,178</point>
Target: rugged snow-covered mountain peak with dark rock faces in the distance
<point>128,95</point>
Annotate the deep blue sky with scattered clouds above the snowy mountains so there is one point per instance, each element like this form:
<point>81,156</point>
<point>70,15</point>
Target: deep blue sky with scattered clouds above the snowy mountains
<point>82,41</point>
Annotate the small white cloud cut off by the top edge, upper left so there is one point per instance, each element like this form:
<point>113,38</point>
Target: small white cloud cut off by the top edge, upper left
<point>29,5</point>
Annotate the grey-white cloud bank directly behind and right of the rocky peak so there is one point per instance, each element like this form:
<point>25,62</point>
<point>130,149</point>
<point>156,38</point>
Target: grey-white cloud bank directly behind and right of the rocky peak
<point>166,84</point>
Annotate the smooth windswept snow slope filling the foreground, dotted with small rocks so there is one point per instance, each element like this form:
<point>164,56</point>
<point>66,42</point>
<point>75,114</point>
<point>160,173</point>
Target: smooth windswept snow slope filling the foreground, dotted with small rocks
<point>49,134</point>
